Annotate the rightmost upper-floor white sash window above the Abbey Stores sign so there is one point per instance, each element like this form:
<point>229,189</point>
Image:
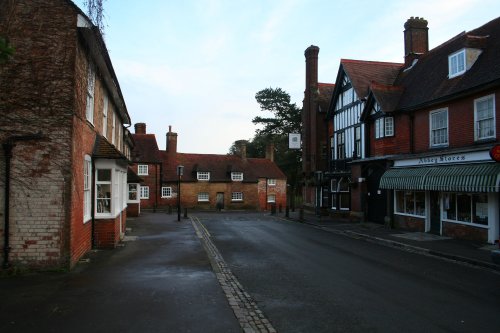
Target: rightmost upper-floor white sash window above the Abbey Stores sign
<point>484,118</point>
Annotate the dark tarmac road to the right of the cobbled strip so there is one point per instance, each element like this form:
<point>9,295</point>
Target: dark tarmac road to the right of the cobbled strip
<point>309,280</point>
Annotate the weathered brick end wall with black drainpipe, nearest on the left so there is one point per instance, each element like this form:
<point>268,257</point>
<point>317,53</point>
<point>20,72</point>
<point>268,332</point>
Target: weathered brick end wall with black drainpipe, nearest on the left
<point>38,91</point>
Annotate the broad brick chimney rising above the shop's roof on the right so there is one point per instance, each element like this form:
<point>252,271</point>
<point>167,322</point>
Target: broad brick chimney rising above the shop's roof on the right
<point>416,39</point>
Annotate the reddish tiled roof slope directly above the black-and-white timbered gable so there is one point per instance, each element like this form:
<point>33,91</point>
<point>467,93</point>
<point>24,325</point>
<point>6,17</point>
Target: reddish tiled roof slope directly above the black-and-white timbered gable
<point>363,73</point>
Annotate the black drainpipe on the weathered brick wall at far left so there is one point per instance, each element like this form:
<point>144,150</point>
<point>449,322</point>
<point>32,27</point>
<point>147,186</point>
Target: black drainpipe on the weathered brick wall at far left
<point>8,146</point>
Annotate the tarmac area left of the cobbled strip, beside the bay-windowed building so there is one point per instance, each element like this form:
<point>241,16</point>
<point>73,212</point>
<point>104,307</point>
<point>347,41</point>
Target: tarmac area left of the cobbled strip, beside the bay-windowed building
<point>160,282</point>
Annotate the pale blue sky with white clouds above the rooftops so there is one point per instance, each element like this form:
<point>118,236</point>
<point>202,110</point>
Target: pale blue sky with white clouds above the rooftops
<point>197,64</point>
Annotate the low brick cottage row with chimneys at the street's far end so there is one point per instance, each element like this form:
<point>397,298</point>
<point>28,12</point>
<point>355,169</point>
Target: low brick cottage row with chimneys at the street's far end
<point>209,181</point>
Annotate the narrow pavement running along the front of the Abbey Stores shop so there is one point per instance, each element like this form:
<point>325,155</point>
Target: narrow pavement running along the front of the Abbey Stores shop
<point>462,251</point>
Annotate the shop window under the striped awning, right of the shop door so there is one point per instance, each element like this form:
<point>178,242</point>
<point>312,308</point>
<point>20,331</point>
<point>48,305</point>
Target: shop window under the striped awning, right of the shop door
<point>466,207</point>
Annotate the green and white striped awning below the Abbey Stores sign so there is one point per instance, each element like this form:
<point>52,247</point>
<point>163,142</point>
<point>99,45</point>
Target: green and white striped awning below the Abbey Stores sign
<point>454,178</point>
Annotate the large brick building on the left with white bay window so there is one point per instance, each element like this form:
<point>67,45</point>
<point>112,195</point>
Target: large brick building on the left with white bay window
<point>63,167</point>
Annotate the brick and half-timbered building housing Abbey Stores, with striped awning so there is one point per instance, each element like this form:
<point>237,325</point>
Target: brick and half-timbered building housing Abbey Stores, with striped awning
<point>411,141</point>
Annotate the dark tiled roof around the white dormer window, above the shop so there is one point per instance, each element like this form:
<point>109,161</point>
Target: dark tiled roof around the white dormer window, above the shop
<point>427,81</point>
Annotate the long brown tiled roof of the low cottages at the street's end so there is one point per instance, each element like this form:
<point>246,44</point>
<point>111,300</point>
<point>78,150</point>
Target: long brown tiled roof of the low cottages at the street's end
<point>220,167</point>
